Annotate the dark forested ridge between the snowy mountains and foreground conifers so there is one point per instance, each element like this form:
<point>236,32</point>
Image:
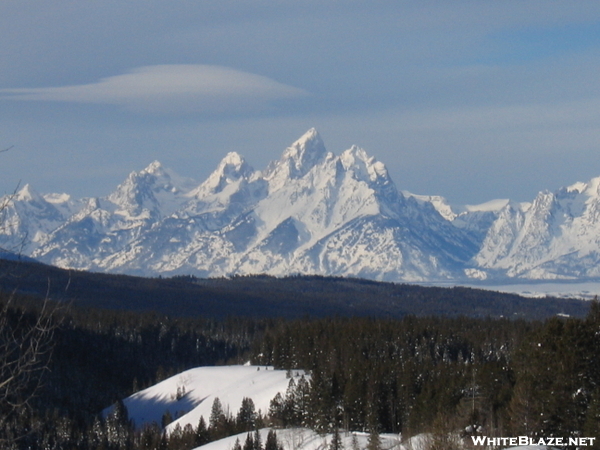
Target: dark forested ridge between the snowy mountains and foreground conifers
<point>266,296</point>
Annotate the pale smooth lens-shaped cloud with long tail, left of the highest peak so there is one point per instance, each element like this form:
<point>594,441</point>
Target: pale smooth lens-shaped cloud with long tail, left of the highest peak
<point>171,89</point>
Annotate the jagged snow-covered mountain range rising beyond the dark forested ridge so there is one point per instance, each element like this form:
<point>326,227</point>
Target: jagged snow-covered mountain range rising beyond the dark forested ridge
<point>310,212</point>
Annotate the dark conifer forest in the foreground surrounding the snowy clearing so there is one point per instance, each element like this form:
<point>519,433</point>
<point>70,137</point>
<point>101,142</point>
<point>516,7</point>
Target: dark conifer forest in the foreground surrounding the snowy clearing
<point>416,374</point>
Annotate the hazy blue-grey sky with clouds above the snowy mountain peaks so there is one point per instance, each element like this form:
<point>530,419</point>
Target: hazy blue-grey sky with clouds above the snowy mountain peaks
<point>472,100</point>
